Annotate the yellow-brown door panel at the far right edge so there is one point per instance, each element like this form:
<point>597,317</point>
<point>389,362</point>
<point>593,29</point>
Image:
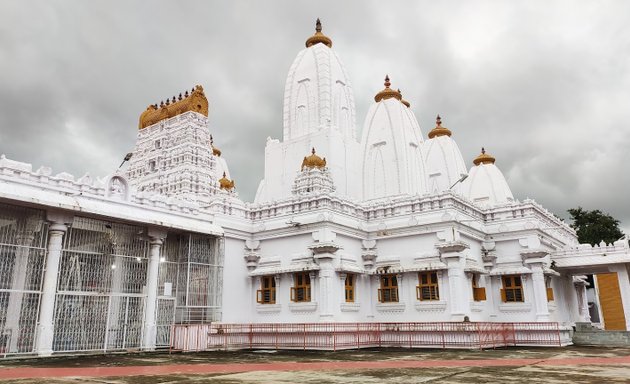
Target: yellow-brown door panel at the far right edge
<point>610,300</point>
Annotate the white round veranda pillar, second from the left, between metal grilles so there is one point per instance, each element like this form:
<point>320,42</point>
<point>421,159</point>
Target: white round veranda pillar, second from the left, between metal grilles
<point>156,239</point>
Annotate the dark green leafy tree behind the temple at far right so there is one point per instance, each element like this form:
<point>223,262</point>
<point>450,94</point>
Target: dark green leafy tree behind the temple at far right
<point>594,226</point>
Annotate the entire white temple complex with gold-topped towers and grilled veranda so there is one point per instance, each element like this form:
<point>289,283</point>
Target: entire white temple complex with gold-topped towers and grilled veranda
<point>356,238</point>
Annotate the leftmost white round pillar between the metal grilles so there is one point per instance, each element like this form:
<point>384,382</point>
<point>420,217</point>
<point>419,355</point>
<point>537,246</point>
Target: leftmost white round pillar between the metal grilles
<point>46,328</point>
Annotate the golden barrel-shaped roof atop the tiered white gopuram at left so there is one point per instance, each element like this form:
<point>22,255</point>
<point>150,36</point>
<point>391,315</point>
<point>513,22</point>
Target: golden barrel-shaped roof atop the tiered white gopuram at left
<point>194,101</point>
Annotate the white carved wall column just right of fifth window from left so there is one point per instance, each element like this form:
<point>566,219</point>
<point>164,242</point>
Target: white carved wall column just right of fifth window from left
<point>451,253</point>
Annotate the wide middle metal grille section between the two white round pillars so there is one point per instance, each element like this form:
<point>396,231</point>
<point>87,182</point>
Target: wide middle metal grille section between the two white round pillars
<point>100,287</point>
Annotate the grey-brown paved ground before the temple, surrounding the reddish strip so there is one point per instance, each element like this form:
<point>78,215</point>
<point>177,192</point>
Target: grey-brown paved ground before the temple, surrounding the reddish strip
<point>535,371</point>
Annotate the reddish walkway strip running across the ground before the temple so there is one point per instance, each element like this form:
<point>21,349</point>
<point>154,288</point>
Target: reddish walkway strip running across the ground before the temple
<point>36,373</point>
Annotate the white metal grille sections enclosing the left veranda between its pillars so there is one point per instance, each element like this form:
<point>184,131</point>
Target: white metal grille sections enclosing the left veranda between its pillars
<point>101,284</point>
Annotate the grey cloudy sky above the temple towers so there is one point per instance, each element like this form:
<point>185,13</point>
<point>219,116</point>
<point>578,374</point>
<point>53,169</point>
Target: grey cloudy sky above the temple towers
<point>543,85</point>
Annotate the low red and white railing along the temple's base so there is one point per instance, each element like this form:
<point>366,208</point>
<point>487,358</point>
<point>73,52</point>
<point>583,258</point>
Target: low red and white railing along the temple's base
<point>337,336</point>
